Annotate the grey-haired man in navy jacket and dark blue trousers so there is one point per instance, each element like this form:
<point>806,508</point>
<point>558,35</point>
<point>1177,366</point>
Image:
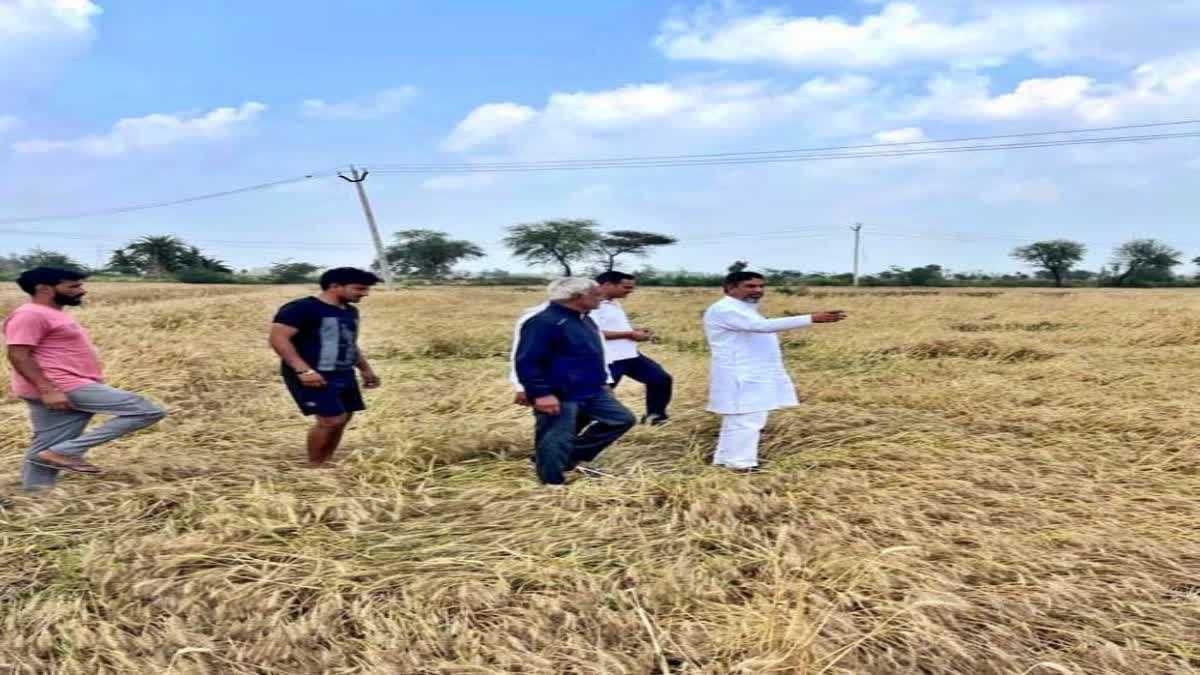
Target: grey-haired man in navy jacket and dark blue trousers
<point>561,365</point>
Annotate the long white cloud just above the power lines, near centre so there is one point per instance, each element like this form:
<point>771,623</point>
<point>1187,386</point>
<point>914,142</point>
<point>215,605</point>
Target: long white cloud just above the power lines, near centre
<point>706,106</point>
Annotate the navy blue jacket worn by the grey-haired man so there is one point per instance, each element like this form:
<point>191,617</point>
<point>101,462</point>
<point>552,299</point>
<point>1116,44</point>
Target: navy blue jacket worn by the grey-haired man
<point>561,354</point>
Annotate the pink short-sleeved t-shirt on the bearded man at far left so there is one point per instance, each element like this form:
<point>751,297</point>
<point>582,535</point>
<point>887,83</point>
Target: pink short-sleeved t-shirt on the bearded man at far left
<point>62,349</point>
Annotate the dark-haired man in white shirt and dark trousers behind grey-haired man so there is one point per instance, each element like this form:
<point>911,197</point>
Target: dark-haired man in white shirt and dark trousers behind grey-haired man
<point>621,348</point>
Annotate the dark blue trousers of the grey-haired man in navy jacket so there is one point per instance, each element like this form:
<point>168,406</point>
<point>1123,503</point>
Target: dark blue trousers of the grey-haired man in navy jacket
<point>580,433</point>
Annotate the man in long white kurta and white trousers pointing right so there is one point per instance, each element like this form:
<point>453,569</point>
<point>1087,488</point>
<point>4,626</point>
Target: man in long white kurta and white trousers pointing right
<point>748,378</point>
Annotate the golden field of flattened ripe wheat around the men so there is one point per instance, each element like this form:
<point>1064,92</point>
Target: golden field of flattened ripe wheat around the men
<point>979,482</point>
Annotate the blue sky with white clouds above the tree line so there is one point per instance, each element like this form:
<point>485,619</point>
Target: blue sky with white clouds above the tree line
<point>118,103</point>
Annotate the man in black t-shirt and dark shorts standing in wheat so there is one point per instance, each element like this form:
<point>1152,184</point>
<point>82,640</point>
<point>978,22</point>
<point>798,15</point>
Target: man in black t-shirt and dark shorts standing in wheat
<point>317,341</point>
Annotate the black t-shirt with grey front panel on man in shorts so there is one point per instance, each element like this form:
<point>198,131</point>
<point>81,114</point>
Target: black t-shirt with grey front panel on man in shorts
<point>327,336</point>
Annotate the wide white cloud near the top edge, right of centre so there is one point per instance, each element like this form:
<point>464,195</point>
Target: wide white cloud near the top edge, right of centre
<point>899,34</point>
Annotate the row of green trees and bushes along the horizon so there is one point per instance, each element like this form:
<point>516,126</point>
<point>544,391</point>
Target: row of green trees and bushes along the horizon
<point>574,247</point>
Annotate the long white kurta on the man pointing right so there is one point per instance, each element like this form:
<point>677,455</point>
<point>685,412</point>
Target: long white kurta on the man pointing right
<point>748,372</point>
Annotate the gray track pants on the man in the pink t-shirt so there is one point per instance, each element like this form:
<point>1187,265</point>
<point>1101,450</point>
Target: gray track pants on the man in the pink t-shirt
<point>63,432</point>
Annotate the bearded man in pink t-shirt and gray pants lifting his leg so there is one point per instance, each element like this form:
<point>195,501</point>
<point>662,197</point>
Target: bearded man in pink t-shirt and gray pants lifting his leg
<point>56,371</point>
